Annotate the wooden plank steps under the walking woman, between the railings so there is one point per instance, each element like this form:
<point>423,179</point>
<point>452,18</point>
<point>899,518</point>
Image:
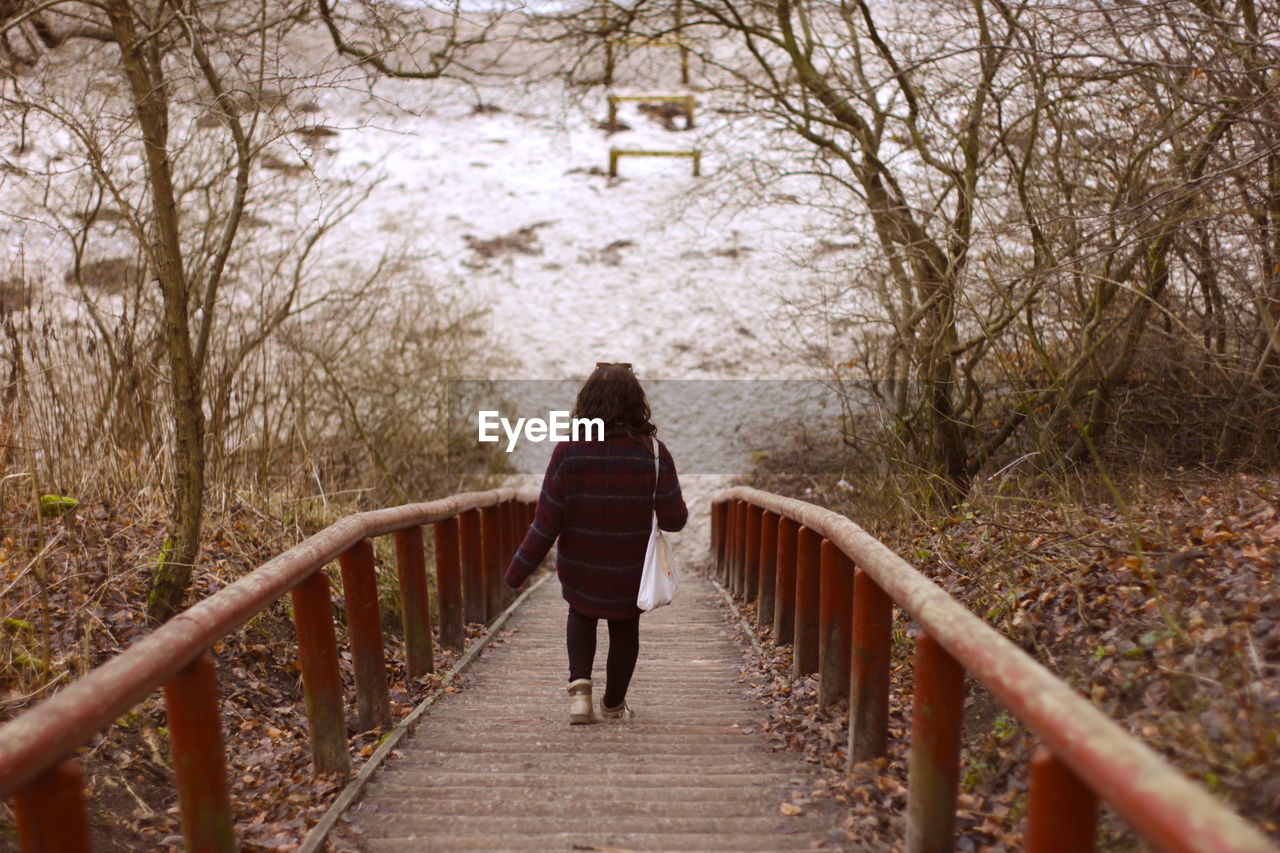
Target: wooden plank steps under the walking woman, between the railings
<point>499,768</point>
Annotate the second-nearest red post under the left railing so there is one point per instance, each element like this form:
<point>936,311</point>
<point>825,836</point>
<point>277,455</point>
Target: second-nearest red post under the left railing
<point>193,710</point>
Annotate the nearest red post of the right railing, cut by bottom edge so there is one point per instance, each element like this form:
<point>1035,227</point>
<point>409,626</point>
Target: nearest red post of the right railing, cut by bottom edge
<point>1064,811</point>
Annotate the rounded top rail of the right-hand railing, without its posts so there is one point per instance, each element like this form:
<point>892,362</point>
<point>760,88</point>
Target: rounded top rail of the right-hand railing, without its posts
<point>1153,796</point>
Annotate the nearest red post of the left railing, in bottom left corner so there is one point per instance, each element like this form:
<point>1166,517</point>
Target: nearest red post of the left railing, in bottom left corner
<point>51,811</point>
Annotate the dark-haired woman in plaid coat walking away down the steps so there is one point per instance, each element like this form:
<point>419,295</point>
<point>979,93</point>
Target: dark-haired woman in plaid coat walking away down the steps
<point>598,499</point>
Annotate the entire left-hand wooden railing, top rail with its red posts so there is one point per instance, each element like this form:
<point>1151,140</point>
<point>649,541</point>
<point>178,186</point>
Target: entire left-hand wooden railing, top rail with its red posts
<point>34,747</point>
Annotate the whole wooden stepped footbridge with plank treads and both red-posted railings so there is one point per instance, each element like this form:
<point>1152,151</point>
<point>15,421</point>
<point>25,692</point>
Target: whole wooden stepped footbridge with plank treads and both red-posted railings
<point>497,768</point>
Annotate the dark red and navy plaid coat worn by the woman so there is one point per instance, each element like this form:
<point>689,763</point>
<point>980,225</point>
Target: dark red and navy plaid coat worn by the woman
<point>598,500</point>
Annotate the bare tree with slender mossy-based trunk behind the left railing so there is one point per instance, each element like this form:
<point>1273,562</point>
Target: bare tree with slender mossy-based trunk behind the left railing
<point>171,153</point>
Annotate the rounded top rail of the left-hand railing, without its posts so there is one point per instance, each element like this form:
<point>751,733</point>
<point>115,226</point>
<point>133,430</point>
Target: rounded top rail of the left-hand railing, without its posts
<point>39,738</point>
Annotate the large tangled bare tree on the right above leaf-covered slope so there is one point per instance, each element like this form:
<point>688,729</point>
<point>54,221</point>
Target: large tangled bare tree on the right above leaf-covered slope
<point>1049,193</point>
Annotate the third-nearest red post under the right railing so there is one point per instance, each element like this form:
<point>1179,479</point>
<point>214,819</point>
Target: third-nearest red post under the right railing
<point>868,703</point>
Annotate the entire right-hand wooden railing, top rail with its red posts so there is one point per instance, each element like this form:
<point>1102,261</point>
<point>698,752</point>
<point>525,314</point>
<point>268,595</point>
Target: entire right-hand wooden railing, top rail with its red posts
<point>1084,745</point>
